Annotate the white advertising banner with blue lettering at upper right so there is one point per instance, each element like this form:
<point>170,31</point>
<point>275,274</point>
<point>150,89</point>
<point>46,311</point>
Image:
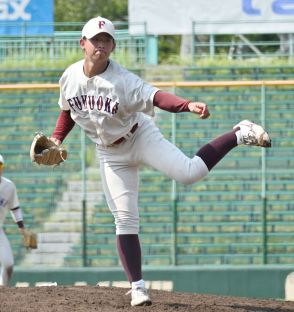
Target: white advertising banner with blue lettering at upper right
<point>183,17</point>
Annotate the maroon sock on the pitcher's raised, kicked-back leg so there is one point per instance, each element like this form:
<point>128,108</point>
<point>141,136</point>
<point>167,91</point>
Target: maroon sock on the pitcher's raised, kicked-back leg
<point>215,150</point>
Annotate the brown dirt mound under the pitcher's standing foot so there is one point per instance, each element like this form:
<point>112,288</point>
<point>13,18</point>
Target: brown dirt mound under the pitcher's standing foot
<point>110,299</point>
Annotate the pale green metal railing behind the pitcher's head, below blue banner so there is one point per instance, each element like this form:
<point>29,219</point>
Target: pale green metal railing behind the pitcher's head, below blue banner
<point>64,43</point>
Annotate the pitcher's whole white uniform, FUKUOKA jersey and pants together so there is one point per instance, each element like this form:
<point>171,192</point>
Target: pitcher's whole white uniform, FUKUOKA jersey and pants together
<point>107,106</point>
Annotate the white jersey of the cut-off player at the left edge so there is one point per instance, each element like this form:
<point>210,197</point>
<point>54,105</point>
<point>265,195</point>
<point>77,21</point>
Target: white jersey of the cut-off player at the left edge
<point>8,198</point>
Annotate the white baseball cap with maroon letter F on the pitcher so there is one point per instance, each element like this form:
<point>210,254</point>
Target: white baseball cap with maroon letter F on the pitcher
<point>96,26</point>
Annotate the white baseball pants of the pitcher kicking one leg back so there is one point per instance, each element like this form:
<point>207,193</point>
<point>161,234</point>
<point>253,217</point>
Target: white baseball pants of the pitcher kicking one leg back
<point>119,167</point>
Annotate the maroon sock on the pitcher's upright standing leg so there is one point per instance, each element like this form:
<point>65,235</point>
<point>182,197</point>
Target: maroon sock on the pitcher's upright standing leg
<point>129,251</point>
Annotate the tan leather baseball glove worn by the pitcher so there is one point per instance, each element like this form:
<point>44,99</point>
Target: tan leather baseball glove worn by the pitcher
<point>45,152</point>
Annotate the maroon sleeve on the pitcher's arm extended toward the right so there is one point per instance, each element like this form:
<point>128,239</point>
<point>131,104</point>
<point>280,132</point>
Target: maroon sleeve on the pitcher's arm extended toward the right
<point>170,102</point>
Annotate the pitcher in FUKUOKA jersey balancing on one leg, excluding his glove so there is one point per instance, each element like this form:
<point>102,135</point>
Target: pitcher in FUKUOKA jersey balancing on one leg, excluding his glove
<point>113,106</point>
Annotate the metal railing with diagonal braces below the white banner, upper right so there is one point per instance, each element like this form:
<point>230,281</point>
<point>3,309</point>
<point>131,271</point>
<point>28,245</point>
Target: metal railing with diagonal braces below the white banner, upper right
<point>241,46</point>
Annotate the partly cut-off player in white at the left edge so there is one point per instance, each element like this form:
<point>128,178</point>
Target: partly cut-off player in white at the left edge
<point>9,202</point>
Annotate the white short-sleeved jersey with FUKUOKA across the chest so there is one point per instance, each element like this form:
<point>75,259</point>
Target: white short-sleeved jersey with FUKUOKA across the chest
<point>106,106</point>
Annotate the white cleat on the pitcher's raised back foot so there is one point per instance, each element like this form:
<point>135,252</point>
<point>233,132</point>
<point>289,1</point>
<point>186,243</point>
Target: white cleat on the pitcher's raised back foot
<point>253,134</point>
